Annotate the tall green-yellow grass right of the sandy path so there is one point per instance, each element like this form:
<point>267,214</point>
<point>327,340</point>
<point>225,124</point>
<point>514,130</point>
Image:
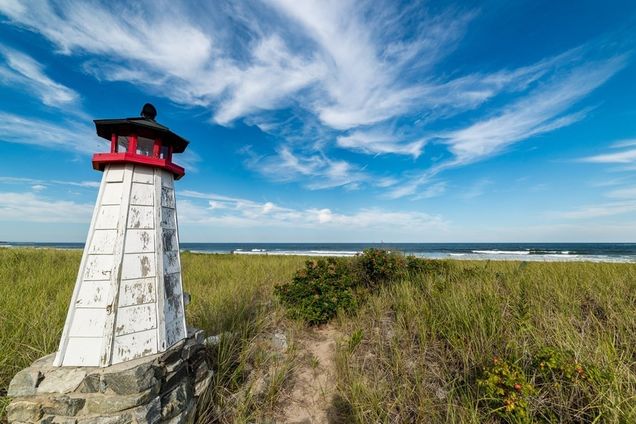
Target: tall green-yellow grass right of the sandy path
<point>425,342</point>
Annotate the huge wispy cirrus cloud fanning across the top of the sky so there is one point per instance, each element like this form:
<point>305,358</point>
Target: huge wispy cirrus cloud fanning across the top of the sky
<point>365,79</point>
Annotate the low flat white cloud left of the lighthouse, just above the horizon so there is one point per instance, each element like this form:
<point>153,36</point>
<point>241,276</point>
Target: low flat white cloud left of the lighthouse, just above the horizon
<point>30,207</point>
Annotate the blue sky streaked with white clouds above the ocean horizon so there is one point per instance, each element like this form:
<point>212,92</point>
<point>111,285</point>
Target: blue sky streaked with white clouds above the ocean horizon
<point>334,120</point>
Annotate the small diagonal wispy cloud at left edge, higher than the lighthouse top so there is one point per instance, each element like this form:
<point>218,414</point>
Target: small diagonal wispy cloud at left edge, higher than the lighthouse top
<point>24,71</point>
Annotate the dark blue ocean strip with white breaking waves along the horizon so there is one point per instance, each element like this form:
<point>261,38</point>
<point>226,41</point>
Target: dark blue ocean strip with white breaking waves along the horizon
<point>598,252</point>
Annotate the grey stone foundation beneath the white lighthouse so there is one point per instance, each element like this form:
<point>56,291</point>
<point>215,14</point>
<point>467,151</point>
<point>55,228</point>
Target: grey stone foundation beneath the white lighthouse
<point>162,388</point>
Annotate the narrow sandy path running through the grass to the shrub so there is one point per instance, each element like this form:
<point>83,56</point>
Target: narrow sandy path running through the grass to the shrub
<point>315,382</point>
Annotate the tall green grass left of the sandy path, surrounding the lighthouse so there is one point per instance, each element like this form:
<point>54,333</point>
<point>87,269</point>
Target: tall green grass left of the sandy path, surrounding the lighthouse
<point>231,295</point>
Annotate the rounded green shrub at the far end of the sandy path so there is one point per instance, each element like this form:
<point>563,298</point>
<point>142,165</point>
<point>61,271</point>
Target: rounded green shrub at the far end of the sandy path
<point>318,291</point>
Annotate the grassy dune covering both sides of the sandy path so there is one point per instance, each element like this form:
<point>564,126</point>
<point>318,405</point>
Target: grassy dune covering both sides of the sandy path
<point>446,346</point>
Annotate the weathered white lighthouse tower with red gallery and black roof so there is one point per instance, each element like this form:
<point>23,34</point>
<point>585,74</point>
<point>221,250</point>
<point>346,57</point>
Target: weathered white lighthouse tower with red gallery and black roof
<point>128,298</point>
